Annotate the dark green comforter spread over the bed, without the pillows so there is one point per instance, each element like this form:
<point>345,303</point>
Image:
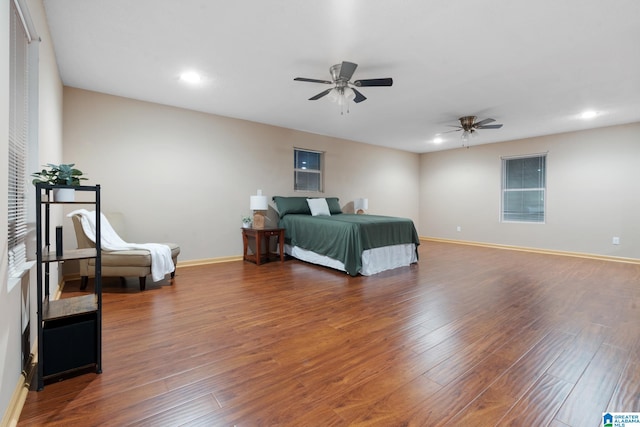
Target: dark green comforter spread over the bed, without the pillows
<point>345,236</point>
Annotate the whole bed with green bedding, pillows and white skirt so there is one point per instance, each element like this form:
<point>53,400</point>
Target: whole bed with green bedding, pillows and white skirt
<point>317,231</point>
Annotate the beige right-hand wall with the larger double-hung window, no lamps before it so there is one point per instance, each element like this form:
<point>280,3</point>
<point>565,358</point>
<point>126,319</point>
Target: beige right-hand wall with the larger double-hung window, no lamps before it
<point>592,193</point>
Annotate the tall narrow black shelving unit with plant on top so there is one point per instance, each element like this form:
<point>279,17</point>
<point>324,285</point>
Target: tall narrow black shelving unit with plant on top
<point>69,329</point>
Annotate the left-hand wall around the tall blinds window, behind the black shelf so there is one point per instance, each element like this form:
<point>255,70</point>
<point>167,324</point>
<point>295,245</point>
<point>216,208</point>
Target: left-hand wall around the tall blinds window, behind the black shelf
<point>48,130</point>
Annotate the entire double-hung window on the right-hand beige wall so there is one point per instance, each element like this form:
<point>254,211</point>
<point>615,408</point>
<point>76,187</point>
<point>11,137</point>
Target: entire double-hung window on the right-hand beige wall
<point>523,188</point>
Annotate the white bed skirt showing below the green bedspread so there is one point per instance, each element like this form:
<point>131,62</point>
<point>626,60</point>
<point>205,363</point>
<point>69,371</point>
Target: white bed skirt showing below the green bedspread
<point>373,260</point>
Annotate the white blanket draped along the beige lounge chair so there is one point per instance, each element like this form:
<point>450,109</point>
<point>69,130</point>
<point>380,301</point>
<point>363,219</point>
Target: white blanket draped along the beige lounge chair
<point>161,262</point>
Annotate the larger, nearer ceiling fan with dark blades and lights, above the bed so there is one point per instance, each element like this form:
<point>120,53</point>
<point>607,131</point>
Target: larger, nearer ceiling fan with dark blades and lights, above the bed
<point>343,89</point>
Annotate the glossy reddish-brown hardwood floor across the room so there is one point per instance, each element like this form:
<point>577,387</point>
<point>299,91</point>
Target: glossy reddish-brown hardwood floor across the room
<point>469,337</point>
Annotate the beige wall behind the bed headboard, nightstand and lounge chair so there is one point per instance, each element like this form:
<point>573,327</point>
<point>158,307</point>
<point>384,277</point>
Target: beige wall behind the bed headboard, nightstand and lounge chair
<point>186,177</point>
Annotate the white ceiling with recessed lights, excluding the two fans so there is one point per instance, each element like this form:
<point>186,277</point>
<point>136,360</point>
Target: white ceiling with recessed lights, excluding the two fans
<point>531,65</point>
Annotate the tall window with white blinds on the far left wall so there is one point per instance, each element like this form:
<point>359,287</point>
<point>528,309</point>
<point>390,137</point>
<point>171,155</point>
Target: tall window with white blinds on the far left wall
<point>18,125</point>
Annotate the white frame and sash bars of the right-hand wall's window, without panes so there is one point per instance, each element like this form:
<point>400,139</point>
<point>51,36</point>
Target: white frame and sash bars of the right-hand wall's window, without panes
<point>506,189</point>
